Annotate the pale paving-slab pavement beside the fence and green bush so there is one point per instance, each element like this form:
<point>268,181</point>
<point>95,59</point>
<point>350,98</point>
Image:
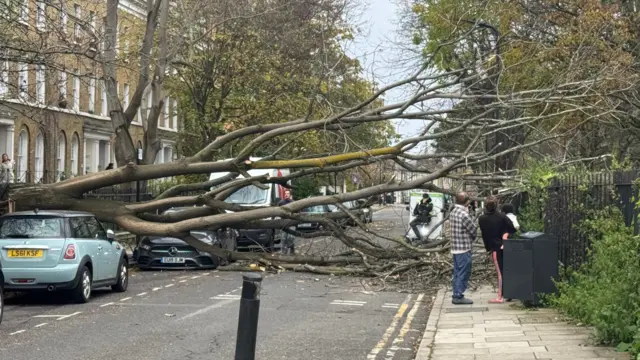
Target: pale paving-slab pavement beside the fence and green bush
<point>504,331</point>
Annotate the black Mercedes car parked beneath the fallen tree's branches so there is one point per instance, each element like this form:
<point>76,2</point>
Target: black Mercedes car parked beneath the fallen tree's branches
<point>163,252</point>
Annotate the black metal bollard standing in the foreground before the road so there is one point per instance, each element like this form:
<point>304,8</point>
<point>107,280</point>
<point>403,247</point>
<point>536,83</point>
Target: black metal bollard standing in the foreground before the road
<point>248,318</point>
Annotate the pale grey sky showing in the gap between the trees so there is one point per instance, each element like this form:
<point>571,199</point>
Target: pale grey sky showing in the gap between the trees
<point>374,48</point>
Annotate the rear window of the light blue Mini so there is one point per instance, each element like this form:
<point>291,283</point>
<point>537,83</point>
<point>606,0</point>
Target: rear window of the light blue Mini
<point>29,227</point>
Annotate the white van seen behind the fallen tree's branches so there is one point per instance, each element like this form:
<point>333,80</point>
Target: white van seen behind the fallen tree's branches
<point>252,195</point>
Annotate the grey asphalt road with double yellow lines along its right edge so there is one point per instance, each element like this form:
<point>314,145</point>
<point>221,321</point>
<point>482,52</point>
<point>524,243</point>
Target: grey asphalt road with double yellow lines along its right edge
<point>193,315</point>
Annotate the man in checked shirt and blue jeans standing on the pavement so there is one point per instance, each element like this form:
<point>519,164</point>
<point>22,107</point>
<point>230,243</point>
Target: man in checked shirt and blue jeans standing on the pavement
<point>463,235</point>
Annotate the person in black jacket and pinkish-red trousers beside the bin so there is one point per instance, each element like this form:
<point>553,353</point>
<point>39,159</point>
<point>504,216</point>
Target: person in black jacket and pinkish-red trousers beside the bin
<point>493,225</point>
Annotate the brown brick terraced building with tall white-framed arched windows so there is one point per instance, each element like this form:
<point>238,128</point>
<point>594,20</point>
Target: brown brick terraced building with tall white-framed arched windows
<point>54,119</point>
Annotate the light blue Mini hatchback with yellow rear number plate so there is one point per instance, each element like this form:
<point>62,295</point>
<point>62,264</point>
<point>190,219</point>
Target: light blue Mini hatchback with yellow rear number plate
<point>60,250</point>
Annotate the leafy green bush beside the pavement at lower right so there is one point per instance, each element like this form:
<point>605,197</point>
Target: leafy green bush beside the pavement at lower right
<point>605,292</point>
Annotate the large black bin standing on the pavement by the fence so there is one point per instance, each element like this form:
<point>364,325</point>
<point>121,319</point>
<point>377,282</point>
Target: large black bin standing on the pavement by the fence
<point>530,266</point>
